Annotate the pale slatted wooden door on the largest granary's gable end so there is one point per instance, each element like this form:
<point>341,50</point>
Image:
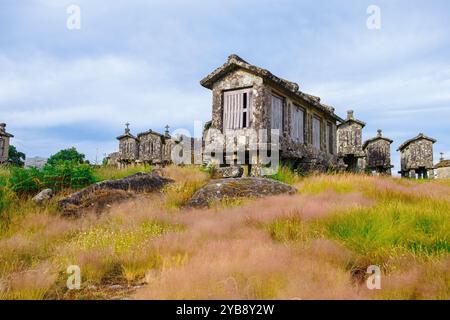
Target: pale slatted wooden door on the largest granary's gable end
<point>237,109</point>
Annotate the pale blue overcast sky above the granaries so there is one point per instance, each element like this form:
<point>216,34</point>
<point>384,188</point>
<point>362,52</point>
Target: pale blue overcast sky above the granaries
<point>141,61</point>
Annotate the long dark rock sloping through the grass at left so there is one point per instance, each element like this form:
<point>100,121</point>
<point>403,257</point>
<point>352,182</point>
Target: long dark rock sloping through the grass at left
<point>112,190</point>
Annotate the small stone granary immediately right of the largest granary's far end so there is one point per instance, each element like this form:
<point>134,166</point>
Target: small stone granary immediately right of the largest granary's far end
<point>349,142</point>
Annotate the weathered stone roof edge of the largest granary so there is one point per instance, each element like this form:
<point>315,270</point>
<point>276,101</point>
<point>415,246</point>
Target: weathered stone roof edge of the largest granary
<point>235,62</point>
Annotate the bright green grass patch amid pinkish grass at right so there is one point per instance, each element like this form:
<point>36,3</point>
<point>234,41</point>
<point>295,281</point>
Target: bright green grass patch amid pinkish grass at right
<point>393,228</point>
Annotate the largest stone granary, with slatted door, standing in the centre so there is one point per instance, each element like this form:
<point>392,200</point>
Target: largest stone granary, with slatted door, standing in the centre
<point>247,98</point>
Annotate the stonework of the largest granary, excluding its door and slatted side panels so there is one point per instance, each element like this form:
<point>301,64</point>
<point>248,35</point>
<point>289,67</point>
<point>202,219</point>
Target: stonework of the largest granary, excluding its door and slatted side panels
<point>262,86</point>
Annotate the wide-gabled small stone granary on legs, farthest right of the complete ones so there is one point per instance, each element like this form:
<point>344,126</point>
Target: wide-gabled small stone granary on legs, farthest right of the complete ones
<point>417,157</point>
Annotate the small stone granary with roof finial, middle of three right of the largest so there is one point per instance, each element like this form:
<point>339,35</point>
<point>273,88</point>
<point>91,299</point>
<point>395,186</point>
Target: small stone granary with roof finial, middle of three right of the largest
<point>378,154</point>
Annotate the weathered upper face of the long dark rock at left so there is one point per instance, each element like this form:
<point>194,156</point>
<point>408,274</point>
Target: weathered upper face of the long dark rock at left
<point>139,182</point>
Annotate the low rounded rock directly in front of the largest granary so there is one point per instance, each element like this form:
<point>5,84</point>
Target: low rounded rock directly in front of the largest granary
<point>251,187</point>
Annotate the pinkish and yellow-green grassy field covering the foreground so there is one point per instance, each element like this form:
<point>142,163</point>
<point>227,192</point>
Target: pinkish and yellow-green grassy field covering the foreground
<point>315,244</point>
